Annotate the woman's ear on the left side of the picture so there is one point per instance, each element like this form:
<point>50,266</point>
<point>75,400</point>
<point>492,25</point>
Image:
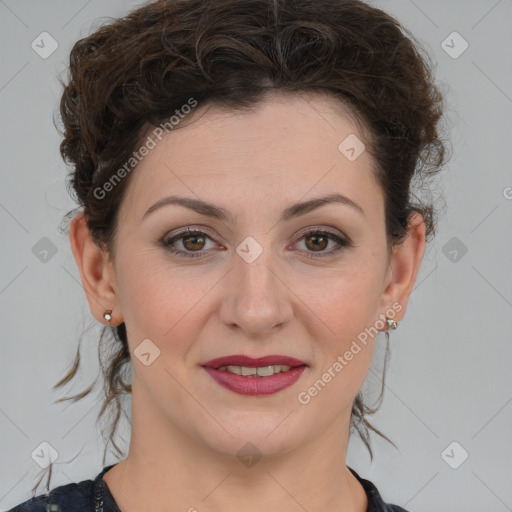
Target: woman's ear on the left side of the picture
<point>96,271</point>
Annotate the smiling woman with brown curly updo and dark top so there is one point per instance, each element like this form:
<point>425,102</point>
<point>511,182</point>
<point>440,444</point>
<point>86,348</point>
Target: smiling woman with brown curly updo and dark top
<point>248,228</point>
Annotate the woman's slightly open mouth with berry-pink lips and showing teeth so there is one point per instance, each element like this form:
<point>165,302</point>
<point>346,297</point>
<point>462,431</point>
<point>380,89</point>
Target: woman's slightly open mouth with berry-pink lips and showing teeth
<point>248,376</point>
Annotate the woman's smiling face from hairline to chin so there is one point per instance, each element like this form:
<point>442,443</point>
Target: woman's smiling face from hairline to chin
<point>253,283</point>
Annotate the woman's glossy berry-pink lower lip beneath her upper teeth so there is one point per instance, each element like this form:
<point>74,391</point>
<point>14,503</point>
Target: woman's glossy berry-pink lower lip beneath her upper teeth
<point>253,386</point>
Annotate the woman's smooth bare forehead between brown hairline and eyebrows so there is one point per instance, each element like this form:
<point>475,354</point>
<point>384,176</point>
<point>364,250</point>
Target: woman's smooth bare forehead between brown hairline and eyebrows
<point>286,148</point>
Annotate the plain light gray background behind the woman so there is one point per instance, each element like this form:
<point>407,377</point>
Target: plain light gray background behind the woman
<point>449,376</point>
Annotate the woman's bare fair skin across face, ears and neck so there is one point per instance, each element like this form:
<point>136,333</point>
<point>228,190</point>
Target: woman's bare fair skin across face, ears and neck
<point>186,429</point>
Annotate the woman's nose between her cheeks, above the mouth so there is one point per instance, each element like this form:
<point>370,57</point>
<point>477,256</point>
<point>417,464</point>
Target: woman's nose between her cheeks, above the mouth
<point>256,299</point>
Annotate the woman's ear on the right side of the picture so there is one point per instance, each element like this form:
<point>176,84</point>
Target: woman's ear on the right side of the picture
<point>404,266</point>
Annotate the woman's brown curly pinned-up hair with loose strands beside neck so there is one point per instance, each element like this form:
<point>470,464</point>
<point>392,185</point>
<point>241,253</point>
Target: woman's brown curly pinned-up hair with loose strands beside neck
<point>135,71</point>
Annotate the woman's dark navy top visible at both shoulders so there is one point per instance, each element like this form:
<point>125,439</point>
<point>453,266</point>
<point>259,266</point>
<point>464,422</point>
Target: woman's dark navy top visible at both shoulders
<point>94,496</point>
